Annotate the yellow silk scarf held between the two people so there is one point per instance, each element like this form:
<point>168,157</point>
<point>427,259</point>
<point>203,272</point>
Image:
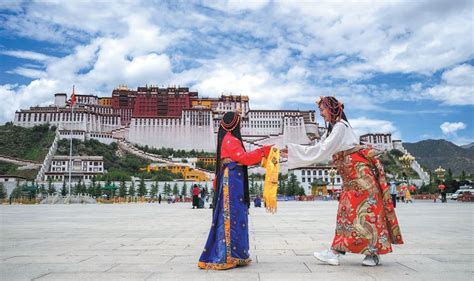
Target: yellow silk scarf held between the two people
<point>271,163</point>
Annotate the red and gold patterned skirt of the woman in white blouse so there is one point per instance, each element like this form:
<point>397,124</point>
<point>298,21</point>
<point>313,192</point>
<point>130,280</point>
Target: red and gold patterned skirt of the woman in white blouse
<point>366,220</point>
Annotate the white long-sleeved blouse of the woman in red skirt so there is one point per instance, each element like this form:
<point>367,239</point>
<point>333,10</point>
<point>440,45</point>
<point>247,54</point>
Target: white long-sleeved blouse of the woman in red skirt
<point>341,138</point>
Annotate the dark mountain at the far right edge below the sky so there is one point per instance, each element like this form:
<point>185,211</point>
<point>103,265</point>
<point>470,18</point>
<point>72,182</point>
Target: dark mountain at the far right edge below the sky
<point>433,153</point>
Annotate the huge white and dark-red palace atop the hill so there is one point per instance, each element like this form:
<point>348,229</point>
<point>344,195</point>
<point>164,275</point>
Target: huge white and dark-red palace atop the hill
<point>172,117</point>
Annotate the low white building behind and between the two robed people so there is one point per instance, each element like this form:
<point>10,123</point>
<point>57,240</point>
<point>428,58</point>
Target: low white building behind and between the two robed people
<point>306,175</point>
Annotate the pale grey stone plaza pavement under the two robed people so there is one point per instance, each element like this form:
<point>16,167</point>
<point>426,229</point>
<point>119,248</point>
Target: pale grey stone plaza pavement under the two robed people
<point>164,242</point>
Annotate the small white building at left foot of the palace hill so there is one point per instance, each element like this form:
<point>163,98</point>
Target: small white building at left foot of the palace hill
<point>84,168</point>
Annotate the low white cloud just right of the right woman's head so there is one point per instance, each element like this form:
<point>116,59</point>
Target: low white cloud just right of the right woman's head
<point>364,125</point>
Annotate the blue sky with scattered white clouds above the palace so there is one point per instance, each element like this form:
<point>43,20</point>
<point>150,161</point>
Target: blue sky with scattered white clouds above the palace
<point>400,67</point>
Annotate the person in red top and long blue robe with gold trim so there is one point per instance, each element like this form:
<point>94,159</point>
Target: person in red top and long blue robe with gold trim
<point>227,245</point>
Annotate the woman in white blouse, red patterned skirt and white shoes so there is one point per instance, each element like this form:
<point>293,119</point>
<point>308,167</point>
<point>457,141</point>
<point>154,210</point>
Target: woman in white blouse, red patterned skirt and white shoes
<point>366,221</point>
